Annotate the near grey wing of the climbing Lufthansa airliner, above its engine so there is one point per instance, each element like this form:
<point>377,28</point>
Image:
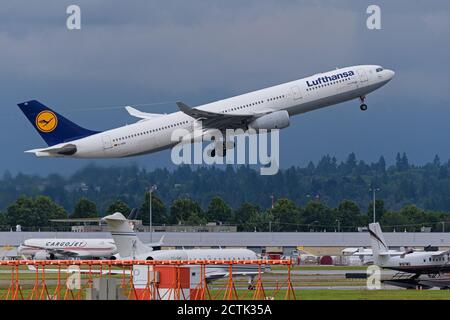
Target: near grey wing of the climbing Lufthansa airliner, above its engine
<point>219,121</point>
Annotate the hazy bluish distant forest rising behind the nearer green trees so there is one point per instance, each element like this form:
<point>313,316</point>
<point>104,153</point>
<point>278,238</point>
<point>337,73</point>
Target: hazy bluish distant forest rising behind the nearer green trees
<point>400,184</point>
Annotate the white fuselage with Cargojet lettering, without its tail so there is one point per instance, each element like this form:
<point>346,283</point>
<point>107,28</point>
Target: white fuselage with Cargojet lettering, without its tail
<point>93,248</point>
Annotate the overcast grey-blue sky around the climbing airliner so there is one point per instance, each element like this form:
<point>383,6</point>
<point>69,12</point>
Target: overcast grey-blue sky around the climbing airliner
<point>142,52</point>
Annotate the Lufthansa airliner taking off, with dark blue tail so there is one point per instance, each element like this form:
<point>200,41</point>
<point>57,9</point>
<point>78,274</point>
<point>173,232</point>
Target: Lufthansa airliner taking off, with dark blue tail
<point>269,108</point>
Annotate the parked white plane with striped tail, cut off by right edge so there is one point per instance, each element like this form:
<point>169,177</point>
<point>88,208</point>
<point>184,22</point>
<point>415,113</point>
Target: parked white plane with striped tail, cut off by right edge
<point>412,265</point>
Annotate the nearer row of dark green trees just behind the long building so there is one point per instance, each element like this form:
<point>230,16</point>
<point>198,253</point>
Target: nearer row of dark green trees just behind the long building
<point>35,213</point>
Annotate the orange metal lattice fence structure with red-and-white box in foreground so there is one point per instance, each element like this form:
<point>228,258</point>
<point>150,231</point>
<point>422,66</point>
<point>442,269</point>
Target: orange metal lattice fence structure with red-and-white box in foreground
<point>144,280</point>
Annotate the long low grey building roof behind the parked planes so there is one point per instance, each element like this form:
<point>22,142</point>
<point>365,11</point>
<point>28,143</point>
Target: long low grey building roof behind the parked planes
<point>253,239</point>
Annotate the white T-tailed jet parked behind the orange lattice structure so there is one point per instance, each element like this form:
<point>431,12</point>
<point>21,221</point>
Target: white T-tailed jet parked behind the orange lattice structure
<point>130,247</point>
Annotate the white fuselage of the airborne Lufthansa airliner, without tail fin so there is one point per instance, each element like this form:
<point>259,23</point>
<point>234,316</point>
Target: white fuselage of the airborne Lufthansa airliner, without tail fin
<point>300,96</point>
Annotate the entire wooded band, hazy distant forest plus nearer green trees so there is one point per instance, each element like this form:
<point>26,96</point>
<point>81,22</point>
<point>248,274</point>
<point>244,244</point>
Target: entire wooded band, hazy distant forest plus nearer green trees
<point>94,189</point>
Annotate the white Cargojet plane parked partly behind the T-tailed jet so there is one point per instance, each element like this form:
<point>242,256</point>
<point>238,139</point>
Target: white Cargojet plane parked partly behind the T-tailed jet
<point>53,248</point>
